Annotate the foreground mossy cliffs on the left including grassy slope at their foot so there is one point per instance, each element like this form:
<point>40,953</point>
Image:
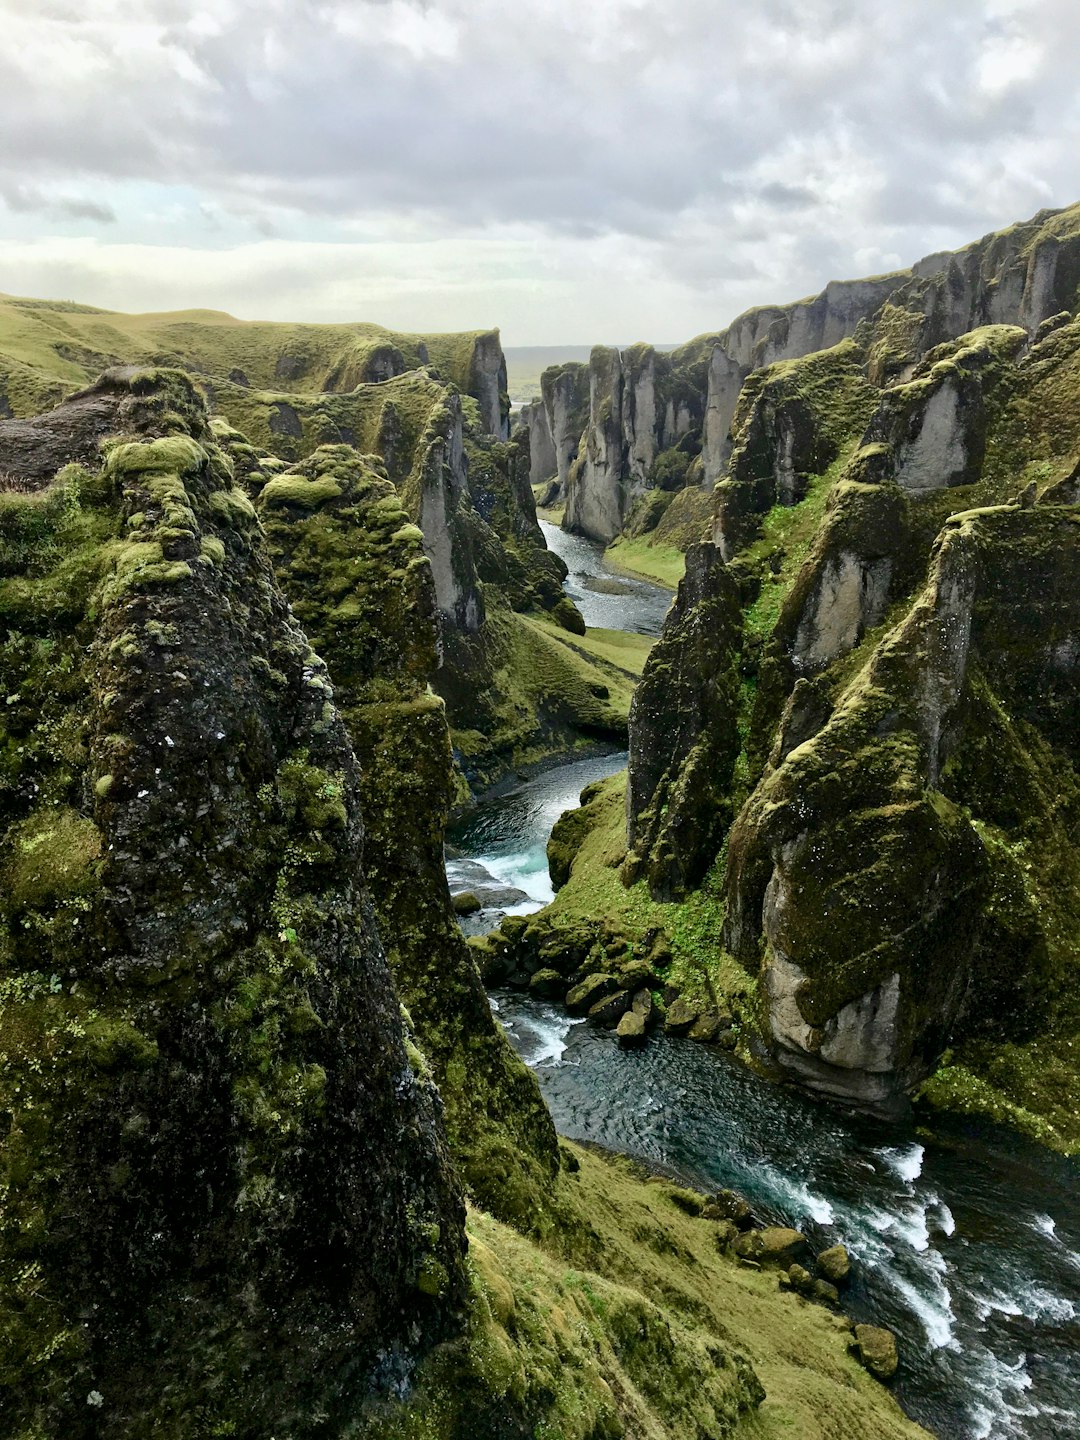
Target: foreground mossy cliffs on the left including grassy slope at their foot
<point>231,1186</point>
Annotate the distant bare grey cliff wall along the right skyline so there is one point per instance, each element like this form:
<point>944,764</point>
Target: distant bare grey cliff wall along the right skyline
<point>1017,277</point>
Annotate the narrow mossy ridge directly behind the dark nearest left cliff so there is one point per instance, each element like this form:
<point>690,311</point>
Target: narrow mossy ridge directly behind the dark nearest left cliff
<point>362,587</point>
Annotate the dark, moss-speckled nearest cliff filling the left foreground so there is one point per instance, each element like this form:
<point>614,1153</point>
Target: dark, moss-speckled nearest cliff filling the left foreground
<point>188,954</point>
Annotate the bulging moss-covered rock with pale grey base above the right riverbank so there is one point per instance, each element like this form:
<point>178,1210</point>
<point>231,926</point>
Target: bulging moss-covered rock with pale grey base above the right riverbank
<point>865,976</point>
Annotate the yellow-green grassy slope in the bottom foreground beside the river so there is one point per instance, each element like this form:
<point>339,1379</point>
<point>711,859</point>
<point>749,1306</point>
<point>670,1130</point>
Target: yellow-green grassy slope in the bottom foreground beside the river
<point>631,1321</point>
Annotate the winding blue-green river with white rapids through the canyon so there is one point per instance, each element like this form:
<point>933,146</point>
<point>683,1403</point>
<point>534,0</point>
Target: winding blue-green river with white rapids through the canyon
<point>967,1245</point>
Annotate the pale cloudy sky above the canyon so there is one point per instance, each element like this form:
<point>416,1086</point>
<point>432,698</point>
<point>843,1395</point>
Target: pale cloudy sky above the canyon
<point>571,171</point>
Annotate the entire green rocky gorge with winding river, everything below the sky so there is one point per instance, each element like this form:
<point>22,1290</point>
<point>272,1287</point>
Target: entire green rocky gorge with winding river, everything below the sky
<point>557,924</point>
